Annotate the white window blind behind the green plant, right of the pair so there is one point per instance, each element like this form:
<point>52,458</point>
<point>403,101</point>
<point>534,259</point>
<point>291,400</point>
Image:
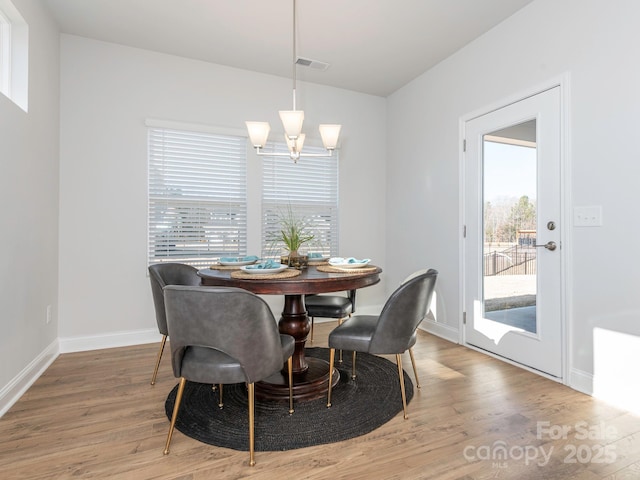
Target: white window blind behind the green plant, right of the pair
<point>310,188</point>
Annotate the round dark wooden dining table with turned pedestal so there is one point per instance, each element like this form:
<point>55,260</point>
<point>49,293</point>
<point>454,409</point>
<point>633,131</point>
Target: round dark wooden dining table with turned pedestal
<point>310,375</point>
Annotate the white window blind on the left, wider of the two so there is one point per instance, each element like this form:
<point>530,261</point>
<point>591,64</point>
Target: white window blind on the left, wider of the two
<point>197,196</point>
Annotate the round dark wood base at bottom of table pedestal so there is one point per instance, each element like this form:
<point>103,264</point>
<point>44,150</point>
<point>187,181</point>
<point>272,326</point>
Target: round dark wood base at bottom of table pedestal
<point>309,385</point>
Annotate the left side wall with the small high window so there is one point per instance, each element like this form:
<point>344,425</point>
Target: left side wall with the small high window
<point>29,150</point>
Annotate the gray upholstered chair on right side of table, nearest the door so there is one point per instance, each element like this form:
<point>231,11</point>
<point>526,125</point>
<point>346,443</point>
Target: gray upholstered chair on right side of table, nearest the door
<point>391,332</point>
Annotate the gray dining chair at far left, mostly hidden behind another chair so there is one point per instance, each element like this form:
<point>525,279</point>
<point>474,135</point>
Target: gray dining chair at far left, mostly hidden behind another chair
<point>161,275</point>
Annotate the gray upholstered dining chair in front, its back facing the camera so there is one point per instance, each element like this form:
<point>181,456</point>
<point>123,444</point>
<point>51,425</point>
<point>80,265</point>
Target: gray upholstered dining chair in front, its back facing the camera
<point>224,335</point>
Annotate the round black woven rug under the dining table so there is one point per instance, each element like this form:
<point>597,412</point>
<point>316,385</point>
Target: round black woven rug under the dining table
<point>358,407</point>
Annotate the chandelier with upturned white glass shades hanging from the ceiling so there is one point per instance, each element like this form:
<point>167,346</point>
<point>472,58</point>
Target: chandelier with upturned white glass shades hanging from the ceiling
<point>292,123</point>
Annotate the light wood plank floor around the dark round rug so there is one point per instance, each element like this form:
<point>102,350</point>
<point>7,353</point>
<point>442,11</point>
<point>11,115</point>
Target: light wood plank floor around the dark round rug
<point>94,415</point>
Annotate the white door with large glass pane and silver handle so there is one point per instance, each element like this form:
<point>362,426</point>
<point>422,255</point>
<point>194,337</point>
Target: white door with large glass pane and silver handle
<point>512,294</point>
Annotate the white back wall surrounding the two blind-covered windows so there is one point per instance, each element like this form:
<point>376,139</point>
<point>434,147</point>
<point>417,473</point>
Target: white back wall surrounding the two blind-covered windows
<point>107,91</point>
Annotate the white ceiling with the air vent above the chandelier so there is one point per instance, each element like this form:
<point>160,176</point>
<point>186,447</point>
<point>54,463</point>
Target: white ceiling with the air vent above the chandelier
<point>372,46</point>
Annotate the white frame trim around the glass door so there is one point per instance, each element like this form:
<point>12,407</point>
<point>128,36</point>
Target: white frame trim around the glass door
<point>565,217</point>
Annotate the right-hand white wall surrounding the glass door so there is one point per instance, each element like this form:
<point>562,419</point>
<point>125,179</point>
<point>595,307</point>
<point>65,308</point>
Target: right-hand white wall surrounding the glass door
<point>593,41</point>
